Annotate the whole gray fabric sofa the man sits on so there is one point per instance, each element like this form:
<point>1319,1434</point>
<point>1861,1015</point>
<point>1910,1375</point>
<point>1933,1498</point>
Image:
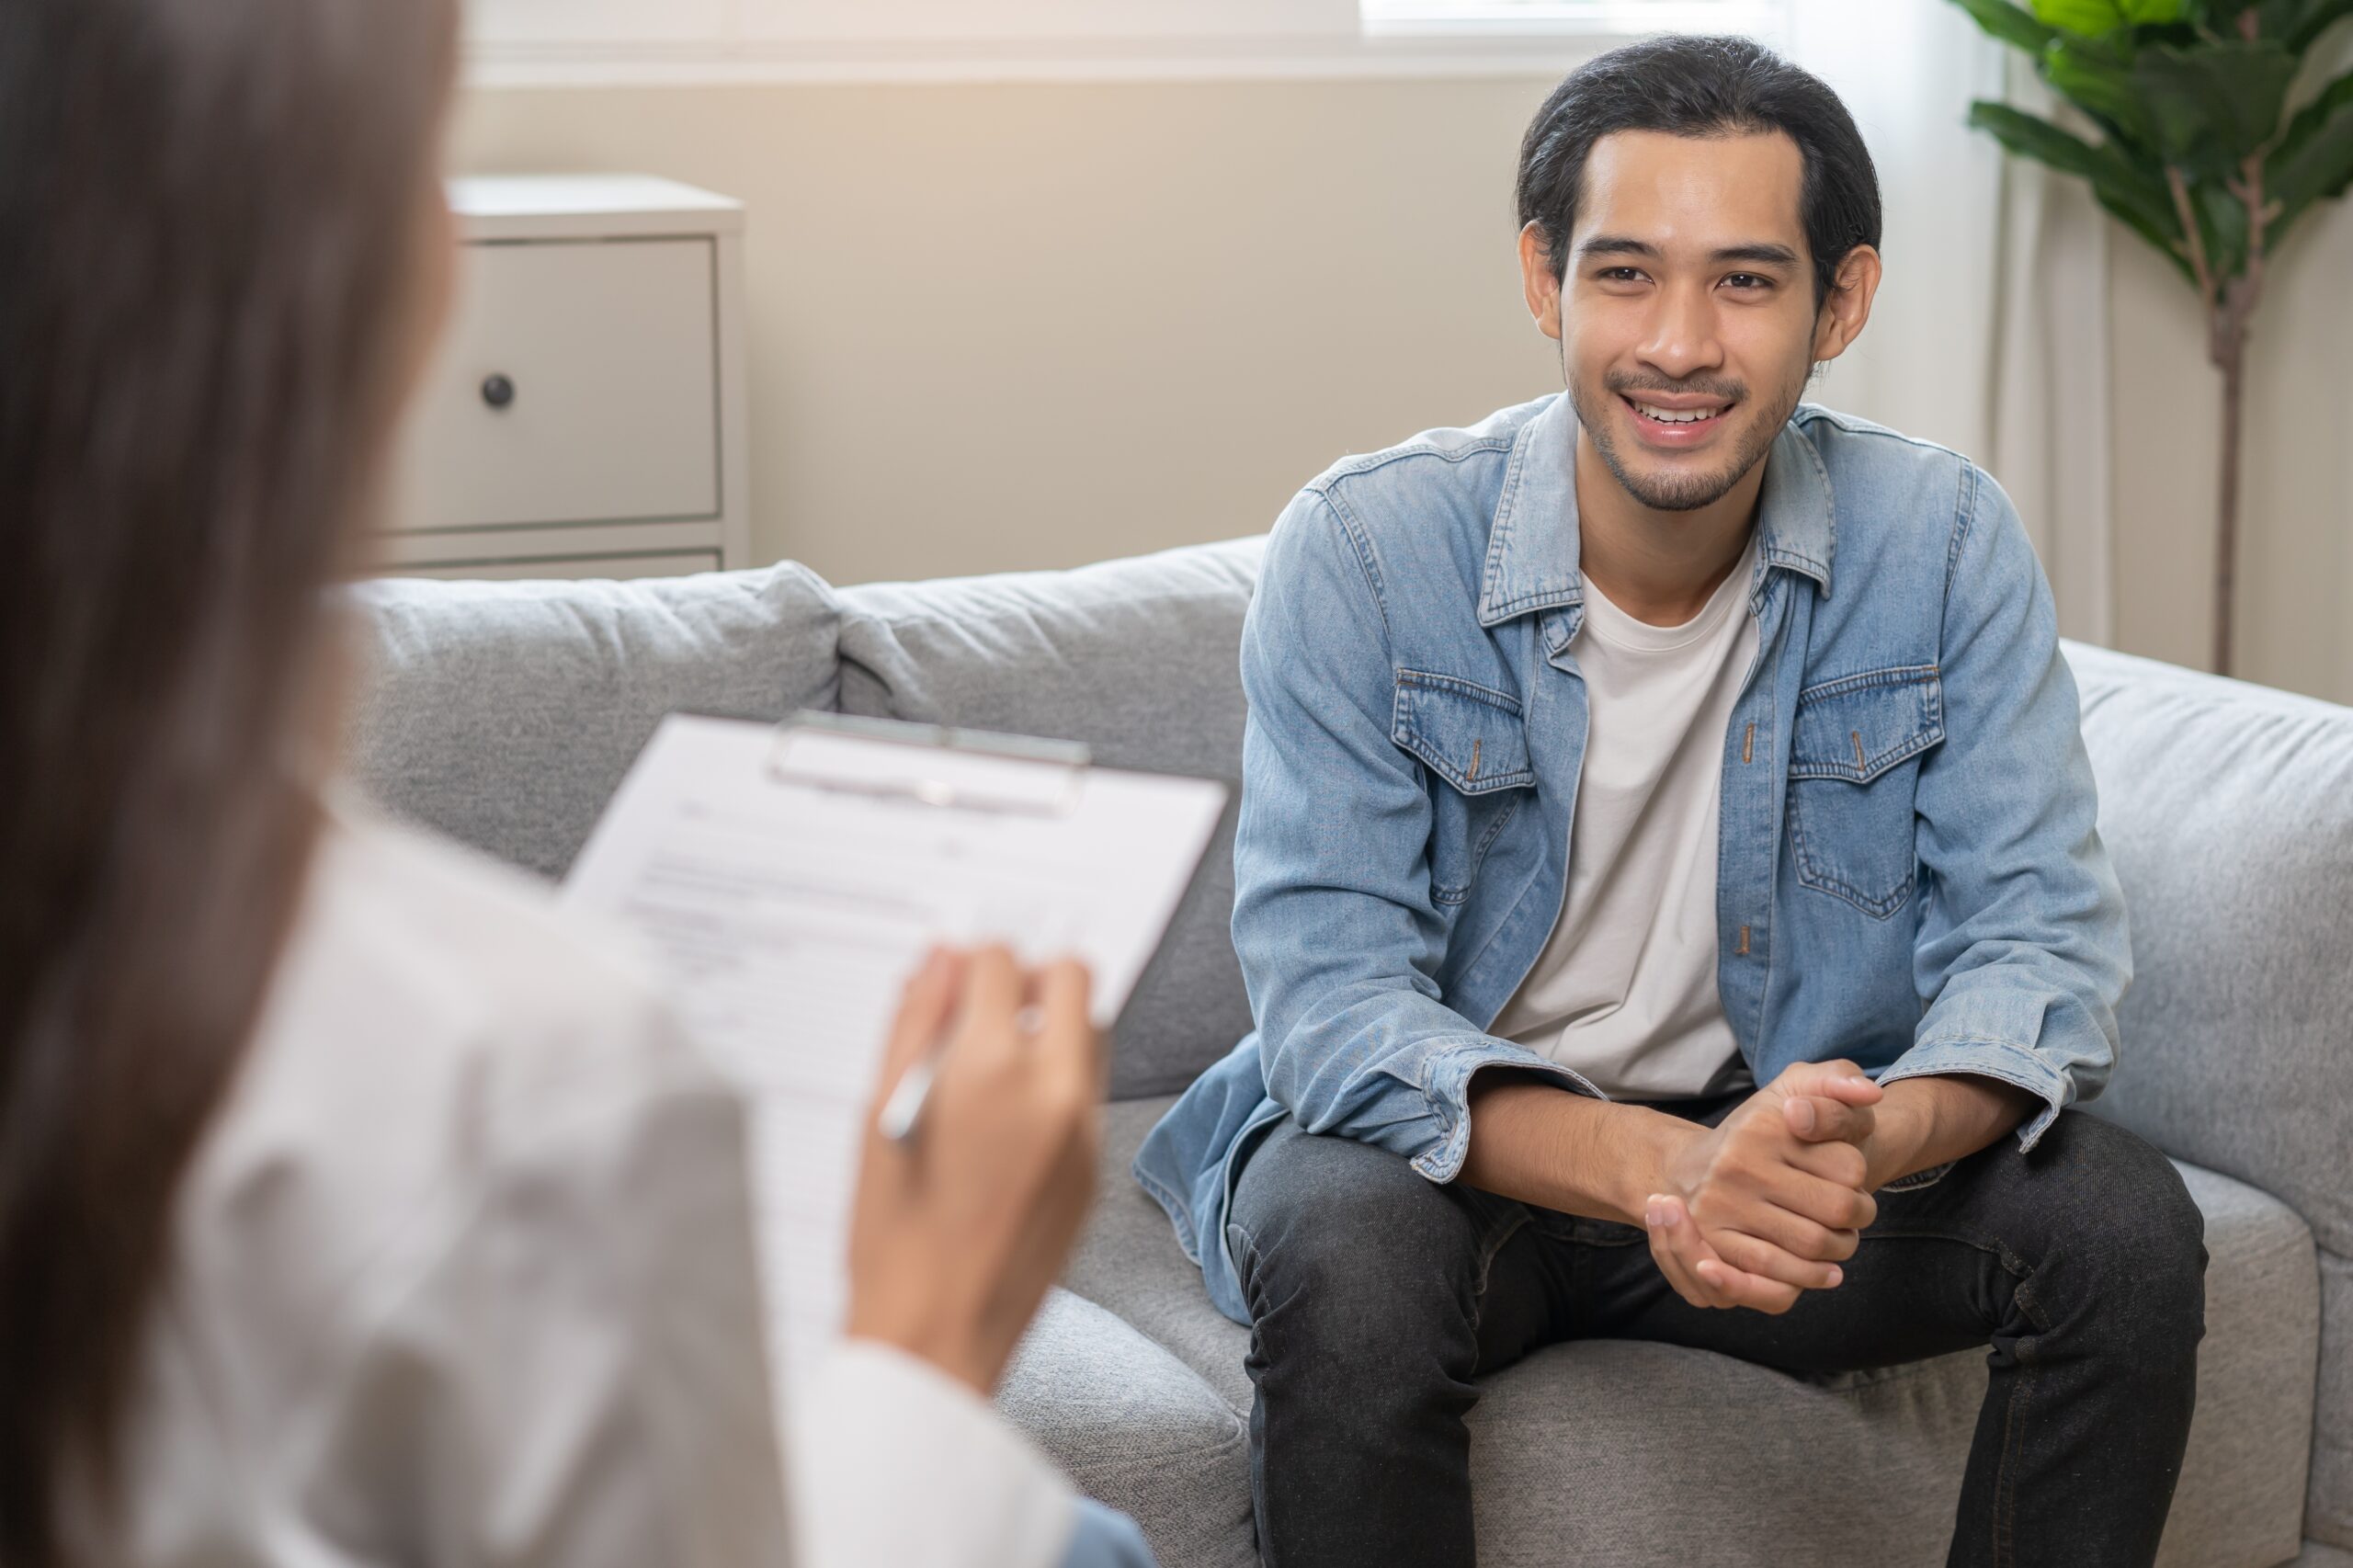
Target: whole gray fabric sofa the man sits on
<point>507,712</point>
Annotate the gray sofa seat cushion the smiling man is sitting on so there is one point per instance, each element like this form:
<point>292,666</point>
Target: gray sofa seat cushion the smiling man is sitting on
<point>1597,1451</point>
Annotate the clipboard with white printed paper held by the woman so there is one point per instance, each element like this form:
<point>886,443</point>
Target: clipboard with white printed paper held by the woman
<point>789,879</point>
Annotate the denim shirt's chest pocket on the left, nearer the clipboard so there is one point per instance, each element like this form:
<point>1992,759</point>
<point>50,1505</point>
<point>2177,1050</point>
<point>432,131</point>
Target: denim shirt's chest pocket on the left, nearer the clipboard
<point>1472,743</point>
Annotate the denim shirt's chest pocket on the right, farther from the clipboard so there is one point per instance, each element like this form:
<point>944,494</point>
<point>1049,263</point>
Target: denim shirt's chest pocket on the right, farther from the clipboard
<point>1855,762</point>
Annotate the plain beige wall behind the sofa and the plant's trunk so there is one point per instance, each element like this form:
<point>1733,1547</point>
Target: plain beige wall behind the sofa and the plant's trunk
<point>1018,326</point>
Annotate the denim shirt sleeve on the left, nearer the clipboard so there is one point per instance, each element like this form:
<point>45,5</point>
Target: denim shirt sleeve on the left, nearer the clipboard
<point>1333,919</point>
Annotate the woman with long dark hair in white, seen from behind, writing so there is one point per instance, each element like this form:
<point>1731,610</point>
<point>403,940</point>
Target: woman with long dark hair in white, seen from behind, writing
<point>354,1207</point>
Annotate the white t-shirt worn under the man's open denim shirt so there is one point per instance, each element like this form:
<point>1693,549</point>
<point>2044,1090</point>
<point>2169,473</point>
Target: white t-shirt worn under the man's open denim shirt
<point>1625,990</point>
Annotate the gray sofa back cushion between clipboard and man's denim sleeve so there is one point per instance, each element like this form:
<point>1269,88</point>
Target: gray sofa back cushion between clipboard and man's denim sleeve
<point>1135,658</point>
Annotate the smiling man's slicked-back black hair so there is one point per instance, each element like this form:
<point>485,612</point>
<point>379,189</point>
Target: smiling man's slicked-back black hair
<point>1702,88</point>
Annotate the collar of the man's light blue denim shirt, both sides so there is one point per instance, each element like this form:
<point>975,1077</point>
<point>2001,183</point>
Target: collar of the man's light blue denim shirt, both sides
<point>1533,547</point>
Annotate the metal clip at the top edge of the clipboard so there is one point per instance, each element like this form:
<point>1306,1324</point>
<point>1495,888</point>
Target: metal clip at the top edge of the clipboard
<point>931,766</point>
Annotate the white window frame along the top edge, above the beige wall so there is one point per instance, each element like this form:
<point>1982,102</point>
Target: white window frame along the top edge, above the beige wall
<point>900,41</point>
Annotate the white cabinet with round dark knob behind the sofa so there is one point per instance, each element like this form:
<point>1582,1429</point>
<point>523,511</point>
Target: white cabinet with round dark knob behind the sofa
<point>585,416</point>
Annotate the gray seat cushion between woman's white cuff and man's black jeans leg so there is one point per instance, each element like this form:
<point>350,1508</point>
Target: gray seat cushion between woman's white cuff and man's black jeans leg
<point>1138,1430</point>
